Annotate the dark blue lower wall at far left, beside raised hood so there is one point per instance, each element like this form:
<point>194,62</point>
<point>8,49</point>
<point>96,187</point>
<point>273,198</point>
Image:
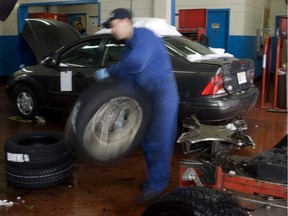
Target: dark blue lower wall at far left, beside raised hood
<point>9,60</point>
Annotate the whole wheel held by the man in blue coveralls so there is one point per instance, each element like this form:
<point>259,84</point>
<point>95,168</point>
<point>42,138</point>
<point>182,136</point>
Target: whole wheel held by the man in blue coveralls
<point>109,119</point>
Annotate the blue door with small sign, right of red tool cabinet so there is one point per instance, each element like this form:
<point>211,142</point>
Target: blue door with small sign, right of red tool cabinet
<point>218,28</point>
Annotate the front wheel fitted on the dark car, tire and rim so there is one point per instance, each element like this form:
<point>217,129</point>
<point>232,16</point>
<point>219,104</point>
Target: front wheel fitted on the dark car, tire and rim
<point>26,102</point>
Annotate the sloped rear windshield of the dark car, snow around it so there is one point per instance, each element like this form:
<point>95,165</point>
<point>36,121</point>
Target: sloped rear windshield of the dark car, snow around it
<point>185,47</point>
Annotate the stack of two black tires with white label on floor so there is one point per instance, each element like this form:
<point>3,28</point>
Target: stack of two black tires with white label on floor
<point>37,159</point>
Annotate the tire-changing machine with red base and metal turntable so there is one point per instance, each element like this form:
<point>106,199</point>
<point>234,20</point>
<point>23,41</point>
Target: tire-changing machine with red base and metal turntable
<point>223,172</point>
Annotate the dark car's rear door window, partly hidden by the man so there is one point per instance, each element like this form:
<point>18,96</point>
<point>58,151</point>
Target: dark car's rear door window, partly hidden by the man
<point>113,52</point>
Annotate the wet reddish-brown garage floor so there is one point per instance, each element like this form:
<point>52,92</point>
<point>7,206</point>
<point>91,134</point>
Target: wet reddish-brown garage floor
<point>98,189</point>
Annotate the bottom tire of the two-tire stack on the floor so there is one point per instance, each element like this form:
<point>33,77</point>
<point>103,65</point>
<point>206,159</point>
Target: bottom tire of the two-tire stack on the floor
<point>39,178</point>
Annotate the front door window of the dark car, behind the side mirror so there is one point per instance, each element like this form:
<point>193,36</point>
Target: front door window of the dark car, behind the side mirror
<point>82,55</point>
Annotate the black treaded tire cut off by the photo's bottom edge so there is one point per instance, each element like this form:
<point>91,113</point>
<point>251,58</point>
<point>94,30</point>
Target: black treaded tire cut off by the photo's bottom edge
<point>195,201</point>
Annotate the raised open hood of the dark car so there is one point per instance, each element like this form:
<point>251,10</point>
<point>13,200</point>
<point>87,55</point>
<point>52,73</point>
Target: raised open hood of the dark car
<point>46,36</point>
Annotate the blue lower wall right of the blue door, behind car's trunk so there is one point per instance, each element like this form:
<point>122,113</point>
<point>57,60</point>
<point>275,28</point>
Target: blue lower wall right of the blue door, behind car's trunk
<point>245,47</point>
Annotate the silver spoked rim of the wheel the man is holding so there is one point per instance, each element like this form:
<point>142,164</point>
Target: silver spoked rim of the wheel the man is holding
<point>112,129</point>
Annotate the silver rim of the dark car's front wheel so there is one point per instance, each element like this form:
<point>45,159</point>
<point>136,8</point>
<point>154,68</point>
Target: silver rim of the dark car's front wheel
<point>25,103</point>
